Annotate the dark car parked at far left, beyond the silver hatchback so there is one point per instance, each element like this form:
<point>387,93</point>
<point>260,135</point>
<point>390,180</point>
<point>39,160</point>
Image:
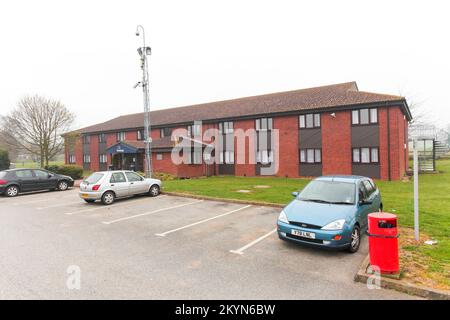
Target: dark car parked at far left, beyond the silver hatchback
<point>14,181</point>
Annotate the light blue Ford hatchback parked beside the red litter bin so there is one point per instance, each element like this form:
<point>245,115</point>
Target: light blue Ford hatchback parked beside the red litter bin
<point>330,212</point>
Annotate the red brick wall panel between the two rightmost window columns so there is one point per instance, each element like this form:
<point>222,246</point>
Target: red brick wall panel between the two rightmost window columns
<point>336,143</point>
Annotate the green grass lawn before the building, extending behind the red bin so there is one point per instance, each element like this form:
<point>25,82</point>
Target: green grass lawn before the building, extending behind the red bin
<point>434,203</point>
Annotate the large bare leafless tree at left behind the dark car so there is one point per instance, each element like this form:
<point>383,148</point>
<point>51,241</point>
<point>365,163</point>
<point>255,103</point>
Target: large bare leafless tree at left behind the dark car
<point>36,126</point>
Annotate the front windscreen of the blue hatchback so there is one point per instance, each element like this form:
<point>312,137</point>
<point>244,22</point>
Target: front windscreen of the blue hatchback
<point>329,192</point>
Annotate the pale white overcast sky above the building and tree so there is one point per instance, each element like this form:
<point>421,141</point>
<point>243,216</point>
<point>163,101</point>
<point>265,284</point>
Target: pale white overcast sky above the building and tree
<point>84,52</point>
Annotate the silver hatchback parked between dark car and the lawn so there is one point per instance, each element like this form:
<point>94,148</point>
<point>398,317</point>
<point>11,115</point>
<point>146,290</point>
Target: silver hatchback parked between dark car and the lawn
<point>107,186</point>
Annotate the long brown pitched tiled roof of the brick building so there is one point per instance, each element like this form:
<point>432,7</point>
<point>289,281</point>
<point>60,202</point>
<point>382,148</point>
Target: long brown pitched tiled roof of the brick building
<point>325,97</point>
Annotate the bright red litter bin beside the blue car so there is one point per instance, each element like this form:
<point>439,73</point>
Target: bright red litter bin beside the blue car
<point>383,241</point>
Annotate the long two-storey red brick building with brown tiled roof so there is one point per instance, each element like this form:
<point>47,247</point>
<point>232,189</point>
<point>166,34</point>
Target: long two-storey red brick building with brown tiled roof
<point>333,129</point>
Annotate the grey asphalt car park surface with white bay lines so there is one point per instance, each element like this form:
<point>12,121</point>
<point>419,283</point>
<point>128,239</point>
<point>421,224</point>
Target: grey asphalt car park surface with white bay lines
<point>163,248</point>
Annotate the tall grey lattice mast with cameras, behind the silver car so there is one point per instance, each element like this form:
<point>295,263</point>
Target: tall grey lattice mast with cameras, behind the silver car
<point>145,51</point>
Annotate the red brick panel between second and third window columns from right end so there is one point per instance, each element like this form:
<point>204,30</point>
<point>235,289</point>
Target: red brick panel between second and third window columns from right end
<point>288,145</point>
